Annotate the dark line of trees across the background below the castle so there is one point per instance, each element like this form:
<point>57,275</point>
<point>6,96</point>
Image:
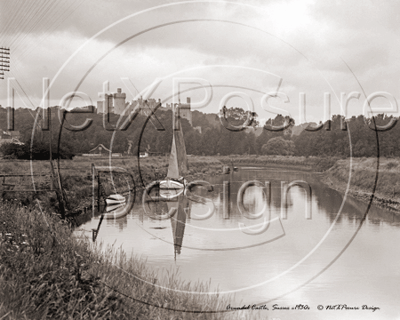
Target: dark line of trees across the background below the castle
<point>279,136</point>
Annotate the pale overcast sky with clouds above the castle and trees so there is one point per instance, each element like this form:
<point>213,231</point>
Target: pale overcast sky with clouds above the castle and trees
<point>248,47</point>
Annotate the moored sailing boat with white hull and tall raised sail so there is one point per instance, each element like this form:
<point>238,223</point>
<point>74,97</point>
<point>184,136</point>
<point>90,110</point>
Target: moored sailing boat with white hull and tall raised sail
<point>174,184</point>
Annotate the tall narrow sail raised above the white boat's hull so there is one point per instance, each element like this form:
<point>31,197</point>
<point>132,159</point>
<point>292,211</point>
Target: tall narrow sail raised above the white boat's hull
<point>177,160</point>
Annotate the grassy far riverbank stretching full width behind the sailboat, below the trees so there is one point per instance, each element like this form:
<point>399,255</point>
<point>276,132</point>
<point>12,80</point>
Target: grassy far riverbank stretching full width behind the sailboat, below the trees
<point>77,180</point>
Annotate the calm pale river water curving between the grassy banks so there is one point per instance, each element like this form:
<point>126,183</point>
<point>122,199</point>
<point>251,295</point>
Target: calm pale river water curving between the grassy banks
<point>311,250</point>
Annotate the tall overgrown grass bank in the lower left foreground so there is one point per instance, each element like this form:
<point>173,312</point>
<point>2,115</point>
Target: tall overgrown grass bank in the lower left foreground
<point>46,273</point>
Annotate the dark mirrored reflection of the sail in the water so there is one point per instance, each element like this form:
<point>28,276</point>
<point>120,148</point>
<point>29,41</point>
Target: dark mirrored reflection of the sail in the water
<point>178,221</point>
